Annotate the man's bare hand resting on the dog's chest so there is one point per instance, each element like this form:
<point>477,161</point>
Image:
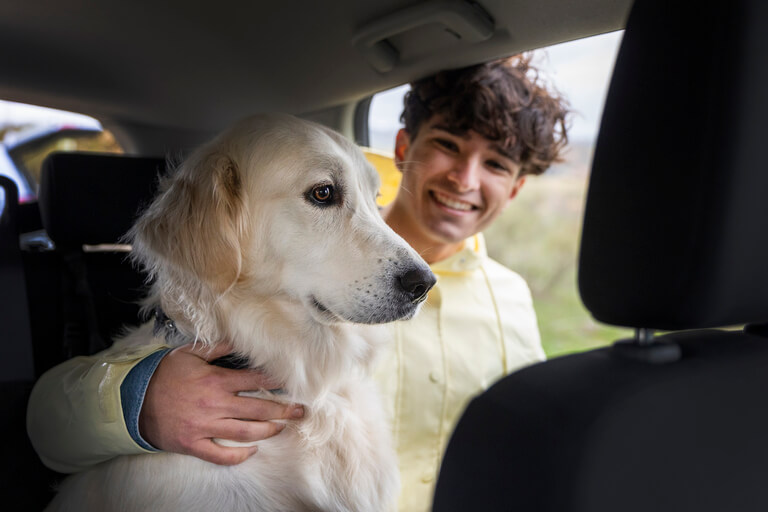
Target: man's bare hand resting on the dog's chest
<point>190,402</point>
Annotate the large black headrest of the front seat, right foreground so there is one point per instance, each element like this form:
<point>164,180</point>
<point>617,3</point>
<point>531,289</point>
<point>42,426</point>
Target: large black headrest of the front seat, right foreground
<point>675,233</point>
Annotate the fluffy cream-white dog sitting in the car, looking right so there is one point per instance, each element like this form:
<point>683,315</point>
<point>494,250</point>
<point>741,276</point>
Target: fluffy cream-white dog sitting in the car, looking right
<point>269,237</point>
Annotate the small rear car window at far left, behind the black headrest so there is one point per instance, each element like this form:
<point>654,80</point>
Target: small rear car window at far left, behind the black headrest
<point>29,133</point>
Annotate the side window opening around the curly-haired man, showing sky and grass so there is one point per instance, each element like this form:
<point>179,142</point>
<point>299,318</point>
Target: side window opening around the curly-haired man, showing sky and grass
<point>538,235</point>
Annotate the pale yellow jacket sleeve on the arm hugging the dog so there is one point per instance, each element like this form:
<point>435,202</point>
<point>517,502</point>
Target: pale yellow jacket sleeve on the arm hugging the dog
<point>75,416</point>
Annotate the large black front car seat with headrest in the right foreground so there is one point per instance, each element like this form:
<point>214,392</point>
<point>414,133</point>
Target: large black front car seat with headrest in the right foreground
<point>674,240</point>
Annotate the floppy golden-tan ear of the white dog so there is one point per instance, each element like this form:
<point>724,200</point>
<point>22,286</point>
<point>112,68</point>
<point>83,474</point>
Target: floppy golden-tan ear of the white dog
<point>194,227</point>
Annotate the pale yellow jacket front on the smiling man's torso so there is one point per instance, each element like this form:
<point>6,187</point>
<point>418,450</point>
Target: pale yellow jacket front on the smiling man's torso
<point>477,325</point>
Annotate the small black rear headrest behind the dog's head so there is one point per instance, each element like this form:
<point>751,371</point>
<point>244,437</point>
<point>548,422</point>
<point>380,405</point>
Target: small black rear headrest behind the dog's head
<point>89,198</point>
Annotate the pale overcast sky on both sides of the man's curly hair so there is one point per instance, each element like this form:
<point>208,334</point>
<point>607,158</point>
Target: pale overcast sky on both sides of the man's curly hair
<point>580,70</point>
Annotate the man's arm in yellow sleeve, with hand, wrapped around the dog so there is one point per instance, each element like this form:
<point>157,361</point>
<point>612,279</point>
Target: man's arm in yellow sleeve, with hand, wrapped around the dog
<point>76,417</point>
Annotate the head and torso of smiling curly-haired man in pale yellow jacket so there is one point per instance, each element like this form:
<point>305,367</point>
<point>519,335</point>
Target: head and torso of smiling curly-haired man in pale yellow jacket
<point>471,138</point>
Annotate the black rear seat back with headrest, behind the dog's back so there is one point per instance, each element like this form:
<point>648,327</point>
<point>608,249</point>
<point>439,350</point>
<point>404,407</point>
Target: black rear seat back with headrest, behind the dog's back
<point>87,287</point>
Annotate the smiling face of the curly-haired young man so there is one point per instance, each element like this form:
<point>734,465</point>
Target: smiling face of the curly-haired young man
<point>453,185</point>
